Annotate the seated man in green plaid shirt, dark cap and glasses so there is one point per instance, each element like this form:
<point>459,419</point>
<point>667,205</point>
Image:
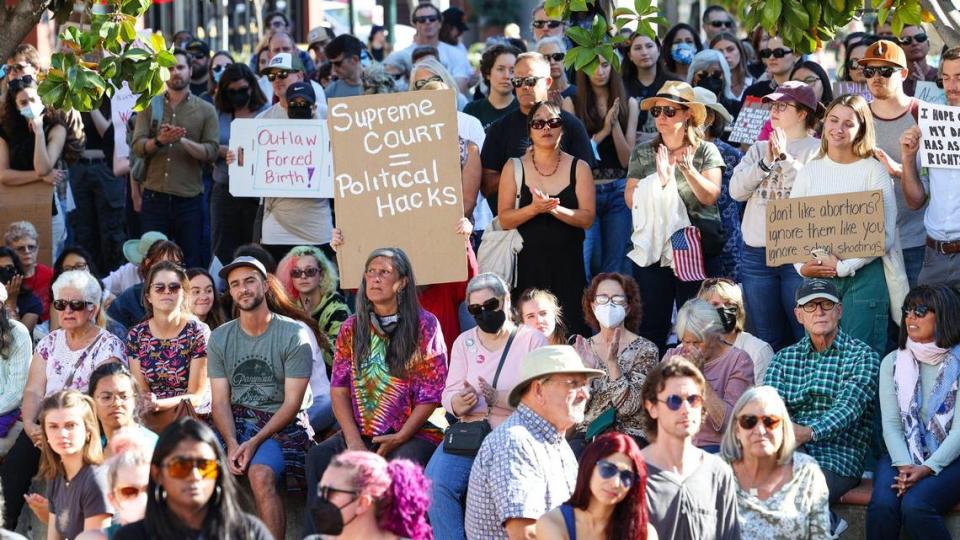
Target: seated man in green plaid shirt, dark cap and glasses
<point>828,380</point>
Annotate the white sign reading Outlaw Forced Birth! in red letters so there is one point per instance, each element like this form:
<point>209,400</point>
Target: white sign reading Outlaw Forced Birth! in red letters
<point>280,158</point>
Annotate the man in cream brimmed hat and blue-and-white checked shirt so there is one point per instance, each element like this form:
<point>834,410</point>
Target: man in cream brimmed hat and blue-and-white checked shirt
<point>525,467</point>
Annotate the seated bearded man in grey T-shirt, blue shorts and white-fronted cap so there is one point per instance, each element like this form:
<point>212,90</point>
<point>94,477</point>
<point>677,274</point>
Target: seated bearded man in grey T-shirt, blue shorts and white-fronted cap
<point>259,367</point>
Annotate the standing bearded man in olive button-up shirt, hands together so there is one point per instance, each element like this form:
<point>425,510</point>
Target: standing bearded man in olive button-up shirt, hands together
<point>176,149</point>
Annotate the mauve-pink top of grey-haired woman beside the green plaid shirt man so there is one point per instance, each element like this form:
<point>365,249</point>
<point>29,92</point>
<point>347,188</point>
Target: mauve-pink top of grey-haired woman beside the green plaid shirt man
<point>729,376</point>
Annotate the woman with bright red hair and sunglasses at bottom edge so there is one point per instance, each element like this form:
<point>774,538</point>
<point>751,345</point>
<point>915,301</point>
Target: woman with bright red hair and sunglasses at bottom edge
<point>609,501</point>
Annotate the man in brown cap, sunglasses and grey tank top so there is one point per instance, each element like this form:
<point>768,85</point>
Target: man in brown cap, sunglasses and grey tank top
<point>884,66</point>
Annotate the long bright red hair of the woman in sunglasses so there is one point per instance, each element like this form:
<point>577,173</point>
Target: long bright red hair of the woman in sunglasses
<point>629,518</point>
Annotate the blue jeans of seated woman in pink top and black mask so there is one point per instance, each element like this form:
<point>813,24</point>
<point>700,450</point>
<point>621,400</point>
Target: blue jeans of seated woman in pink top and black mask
<point>449,475</point>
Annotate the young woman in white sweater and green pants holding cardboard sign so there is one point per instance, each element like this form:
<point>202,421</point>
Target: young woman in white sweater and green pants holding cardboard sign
<point>846,164</point>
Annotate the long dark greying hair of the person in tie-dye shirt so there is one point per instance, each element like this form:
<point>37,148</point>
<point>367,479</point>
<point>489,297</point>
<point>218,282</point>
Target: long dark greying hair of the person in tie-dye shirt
<point>405,340</point>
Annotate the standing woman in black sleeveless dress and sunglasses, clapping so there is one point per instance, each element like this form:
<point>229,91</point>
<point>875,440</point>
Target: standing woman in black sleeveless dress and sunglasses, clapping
<point>554,207</point>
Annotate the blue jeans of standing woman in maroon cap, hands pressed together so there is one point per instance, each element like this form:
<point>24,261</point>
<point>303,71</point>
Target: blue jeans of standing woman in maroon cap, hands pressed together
<point>770,296</point>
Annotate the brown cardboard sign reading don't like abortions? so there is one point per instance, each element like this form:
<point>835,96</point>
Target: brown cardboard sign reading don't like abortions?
<point>846,225</point>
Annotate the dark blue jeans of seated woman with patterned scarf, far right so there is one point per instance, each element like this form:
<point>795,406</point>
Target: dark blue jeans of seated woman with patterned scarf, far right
<point>919,511</point>
